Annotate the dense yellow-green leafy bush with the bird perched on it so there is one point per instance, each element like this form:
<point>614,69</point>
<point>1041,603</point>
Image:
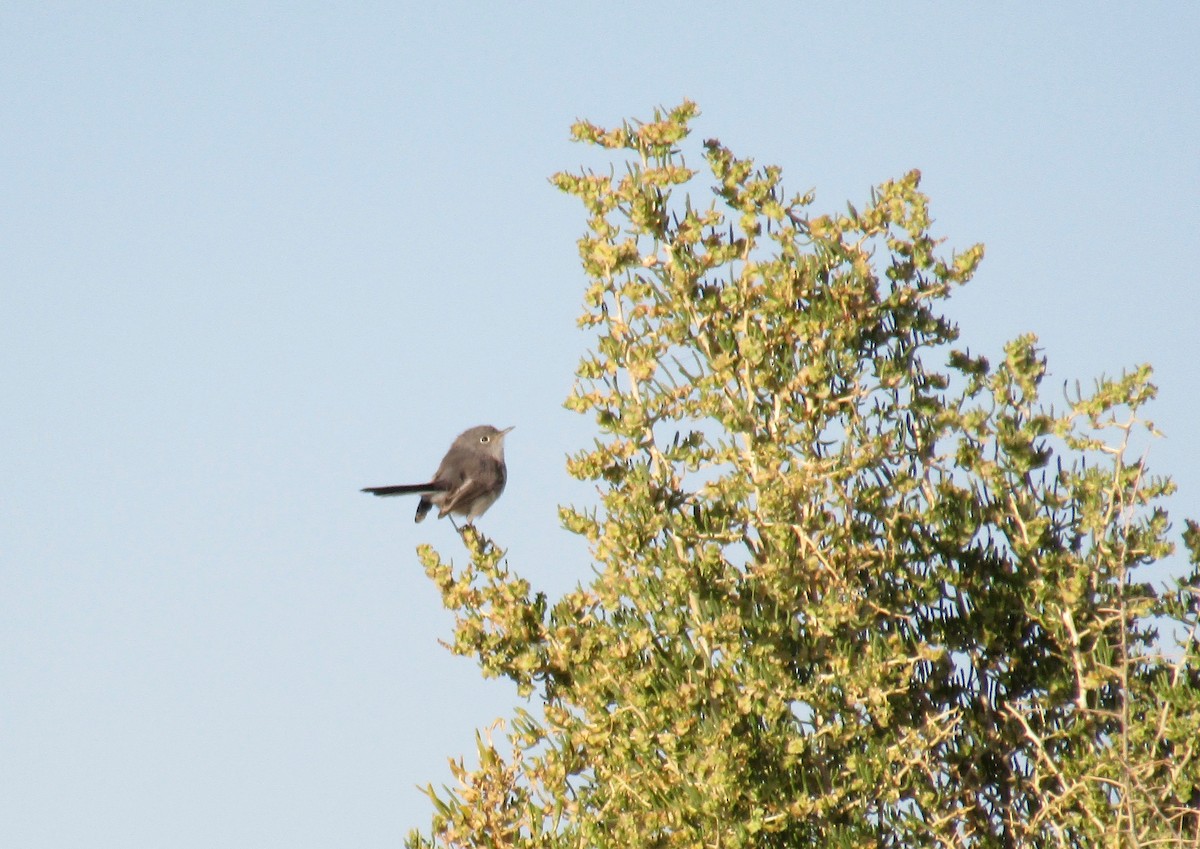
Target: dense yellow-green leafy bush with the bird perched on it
<point>855,586</point>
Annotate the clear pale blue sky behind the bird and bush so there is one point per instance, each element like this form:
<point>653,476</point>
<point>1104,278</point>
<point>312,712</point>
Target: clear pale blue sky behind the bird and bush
<point>259,256</point>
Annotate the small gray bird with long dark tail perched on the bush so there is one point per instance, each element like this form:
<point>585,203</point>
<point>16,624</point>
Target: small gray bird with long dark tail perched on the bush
<point>470,480</point>
